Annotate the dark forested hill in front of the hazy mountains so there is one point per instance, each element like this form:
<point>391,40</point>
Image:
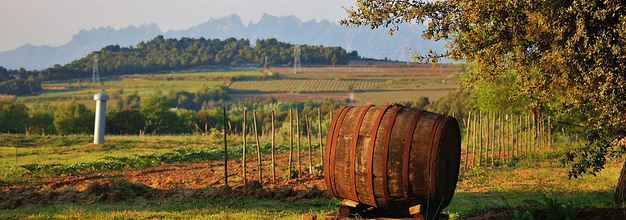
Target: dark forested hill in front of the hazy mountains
<point>160,54</point>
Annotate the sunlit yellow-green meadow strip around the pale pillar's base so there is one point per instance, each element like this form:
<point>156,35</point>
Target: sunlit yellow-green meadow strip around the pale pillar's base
<point>77,148</point>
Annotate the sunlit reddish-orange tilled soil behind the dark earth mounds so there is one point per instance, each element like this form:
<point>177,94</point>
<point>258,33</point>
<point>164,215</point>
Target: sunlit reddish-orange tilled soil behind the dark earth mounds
<point>182,175</point>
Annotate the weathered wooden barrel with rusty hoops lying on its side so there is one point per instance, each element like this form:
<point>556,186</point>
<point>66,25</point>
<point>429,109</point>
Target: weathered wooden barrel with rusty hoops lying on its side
<point>393,157</point>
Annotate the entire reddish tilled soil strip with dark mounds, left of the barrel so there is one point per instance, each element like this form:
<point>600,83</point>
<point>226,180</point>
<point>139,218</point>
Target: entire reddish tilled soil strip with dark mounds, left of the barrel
<point>196,180</point>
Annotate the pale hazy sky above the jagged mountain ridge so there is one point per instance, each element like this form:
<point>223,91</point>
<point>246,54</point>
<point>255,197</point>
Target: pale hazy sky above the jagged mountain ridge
<point>53,22</point>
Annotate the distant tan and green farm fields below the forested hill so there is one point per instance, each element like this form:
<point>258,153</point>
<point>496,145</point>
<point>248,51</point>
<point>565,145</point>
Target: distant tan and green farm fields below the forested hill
<point>371,84</point>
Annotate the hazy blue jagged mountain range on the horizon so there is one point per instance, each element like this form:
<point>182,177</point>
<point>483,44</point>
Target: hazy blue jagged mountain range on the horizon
<point>369,43</point>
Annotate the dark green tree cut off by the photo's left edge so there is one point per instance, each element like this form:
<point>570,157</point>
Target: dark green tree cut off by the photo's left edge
<point>14,117</point>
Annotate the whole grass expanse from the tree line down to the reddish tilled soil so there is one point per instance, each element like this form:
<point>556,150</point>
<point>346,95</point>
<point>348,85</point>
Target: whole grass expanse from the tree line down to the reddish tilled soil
<point>58,154</point>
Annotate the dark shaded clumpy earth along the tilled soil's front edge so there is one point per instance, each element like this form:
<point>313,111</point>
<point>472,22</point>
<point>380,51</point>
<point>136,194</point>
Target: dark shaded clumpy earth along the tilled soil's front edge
<point>118,190</point>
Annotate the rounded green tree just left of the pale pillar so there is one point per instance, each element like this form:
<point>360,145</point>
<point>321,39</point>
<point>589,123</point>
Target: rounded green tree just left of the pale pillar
<point>73,118</point>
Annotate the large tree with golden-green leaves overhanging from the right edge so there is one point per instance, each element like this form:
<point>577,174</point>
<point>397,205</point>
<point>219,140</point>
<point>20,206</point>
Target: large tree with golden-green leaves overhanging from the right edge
<point>567,55</point>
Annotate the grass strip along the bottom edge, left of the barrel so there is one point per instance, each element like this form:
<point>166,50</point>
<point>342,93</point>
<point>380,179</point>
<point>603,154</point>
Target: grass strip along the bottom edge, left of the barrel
<point>178,209</point>
